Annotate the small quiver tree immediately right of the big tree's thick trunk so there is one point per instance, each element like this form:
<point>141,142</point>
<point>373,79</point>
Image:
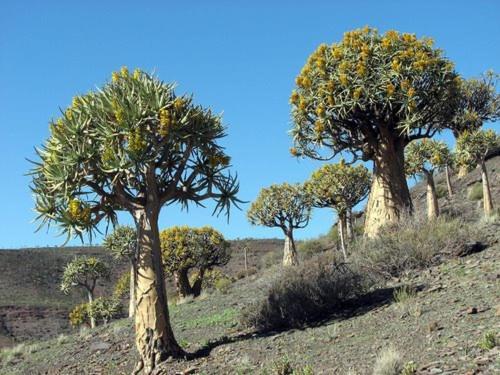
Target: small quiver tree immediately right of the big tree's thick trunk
<point>423,158</point>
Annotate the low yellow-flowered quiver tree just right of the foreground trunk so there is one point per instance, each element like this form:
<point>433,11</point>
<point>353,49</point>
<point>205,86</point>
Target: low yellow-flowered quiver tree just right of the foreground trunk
<point>184,249</point>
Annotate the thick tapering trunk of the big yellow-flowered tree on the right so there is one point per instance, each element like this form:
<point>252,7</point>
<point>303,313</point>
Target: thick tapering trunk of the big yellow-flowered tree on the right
<point>389,196</point>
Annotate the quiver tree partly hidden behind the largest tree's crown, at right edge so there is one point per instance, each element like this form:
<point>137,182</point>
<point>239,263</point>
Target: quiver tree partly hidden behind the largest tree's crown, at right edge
<point>478,103</point>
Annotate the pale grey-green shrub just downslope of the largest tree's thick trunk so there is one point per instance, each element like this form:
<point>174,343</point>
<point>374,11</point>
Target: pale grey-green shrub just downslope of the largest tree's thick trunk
<point>411,244</point>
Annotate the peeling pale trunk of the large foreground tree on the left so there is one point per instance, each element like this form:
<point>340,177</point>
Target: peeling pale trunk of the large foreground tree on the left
<point>155,339</point>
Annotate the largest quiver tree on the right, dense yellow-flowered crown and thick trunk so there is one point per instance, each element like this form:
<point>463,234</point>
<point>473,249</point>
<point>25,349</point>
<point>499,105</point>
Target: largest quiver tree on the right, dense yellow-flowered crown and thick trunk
<point>370,95</point>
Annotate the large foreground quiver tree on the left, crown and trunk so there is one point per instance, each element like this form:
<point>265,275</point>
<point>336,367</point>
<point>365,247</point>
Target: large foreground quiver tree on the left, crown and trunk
<point>133,145</point>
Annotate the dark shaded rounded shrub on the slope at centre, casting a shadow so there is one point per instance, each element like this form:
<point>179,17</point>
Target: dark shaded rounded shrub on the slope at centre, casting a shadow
<point>300,295</point>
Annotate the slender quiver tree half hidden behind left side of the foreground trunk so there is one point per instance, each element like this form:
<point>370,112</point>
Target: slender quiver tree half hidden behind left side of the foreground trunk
<point>122,243</point>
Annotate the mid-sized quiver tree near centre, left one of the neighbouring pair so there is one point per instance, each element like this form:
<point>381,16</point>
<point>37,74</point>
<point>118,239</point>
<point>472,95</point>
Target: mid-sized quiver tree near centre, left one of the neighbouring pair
<point>284,206</point>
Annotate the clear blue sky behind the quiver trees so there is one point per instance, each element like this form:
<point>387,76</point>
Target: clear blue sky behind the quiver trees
<point>236,58</point>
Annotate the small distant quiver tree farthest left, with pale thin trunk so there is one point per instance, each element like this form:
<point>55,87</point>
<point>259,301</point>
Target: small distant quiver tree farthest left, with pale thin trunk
<point>83,272</point>
